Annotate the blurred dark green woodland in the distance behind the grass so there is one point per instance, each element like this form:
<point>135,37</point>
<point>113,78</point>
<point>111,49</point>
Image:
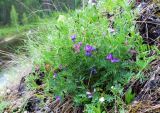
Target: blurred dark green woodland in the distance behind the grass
<point>33,8</point>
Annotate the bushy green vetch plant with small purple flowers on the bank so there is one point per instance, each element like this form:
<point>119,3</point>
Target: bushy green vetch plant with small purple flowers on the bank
<point>92,58</point>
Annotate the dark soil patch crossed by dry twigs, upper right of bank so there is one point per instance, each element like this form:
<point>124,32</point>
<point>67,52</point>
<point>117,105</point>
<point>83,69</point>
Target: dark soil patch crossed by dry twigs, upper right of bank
<point>149,24</point>
